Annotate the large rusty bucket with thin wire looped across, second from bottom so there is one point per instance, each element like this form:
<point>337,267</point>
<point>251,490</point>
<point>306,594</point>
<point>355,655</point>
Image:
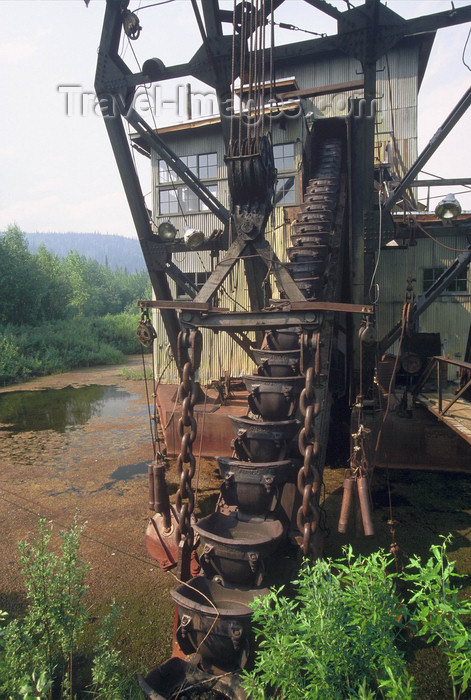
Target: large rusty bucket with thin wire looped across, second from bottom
<point>215,621</point>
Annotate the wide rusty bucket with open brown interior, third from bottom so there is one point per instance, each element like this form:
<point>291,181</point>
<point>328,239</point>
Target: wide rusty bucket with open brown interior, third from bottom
<point>236,549</point>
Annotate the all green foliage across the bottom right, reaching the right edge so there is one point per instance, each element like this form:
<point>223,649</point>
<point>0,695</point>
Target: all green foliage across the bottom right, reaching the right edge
<point>340,635</point>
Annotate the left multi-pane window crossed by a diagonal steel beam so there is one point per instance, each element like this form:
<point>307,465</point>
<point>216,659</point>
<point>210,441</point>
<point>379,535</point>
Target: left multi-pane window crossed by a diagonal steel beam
<point>179,198</point>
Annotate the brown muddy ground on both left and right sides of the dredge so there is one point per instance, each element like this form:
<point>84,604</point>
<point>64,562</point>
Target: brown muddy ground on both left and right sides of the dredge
<point>98,471</point>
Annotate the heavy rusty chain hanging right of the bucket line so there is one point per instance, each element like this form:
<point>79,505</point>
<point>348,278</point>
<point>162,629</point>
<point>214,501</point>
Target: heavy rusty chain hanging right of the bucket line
<point>310,474</point>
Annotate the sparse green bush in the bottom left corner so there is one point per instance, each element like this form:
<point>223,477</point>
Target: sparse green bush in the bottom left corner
<point>37,652</point>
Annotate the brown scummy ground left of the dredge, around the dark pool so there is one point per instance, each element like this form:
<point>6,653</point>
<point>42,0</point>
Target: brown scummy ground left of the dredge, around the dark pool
<point>57,475</point>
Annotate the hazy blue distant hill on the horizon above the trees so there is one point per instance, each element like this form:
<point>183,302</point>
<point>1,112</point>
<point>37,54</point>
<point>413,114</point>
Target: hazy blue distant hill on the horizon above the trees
<point>114,251</point>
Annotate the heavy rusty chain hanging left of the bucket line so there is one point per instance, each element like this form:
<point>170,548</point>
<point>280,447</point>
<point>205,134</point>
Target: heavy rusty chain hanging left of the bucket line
<point>189,357</point>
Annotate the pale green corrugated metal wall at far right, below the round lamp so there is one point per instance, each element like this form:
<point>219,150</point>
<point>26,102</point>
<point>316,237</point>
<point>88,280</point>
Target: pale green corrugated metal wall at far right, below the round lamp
<point>450,314</point>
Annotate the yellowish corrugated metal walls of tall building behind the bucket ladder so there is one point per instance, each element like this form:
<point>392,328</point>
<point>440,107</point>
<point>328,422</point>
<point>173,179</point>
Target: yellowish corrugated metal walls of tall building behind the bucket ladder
<point>397,81</point>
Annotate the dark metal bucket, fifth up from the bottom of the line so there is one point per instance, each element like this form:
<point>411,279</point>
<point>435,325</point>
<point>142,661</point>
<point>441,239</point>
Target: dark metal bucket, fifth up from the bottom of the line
<point>262,441</point>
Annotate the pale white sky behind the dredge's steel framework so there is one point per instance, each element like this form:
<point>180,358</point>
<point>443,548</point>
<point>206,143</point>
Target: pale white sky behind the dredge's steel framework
<point>58,172</point>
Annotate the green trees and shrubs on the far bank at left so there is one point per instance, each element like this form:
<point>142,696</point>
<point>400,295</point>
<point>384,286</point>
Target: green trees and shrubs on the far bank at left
<point>59,313</point>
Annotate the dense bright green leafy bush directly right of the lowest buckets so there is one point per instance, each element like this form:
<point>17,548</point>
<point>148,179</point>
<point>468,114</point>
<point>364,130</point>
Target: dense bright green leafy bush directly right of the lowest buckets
<point>335,638</point>
